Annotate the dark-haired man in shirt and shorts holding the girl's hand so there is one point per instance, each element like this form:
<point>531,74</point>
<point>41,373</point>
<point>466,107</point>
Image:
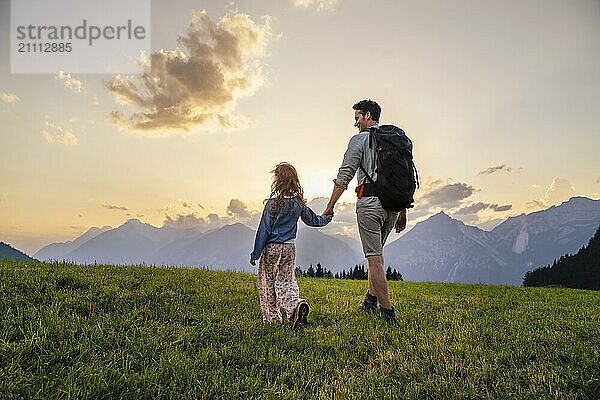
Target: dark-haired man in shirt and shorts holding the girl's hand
<point>374,222</point>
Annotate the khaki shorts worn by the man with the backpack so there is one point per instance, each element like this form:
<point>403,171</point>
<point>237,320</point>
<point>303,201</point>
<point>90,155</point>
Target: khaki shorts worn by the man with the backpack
<point>374,227</point>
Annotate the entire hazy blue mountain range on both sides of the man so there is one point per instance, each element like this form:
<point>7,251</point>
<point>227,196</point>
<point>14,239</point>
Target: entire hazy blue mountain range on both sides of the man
<point>440,248</point>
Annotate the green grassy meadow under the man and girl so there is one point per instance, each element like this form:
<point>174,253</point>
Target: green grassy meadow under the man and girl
<point>69,331</point>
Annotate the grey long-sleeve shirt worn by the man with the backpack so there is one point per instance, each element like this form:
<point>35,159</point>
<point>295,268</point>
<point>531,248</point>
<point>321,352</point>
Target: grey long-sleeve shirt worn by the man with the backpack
<point>358,153</point>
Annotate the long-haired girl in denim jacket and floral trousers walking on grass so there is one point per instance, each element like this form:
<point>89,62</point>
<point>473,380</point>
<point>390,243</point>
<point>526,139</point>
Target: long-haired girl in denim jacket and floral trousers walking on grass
<point>274,244</point>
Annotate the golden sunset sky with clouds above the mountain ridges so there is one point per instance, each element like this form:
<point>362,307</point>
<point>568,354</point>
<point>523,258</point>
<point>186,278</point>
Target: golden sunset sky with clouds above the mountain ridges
<point>500,98</point>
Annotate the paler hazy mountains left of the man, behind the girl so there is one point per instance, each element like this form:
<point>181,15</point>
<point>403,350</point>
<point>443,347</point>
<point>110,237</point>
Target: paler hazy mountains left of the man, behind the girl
<point>228,247</point>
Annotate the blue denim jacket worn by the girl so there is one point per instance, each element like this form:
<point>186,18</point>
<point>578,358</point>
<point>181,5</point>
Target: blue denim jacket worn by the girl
<point>282,226</point>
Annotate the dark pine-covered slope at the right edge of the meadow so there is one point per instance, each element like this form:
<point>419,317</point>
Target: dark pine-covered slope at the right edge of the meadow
<point>577,271</point>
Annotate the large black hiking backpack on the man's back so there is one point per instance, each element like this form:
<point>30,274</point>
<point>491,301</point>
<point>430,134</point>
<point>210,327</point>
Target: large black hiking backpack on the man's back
<point>397,177</point>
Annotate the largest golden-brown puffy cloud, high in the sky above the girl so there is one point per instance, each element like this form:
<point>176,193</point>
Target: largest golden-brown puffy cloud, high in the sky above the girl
<point>198,87</point>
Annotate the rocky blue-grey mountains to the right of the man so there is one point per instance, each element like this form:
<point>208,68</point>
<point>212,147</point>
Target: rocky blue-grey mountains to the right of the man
<point>443,249</point>
